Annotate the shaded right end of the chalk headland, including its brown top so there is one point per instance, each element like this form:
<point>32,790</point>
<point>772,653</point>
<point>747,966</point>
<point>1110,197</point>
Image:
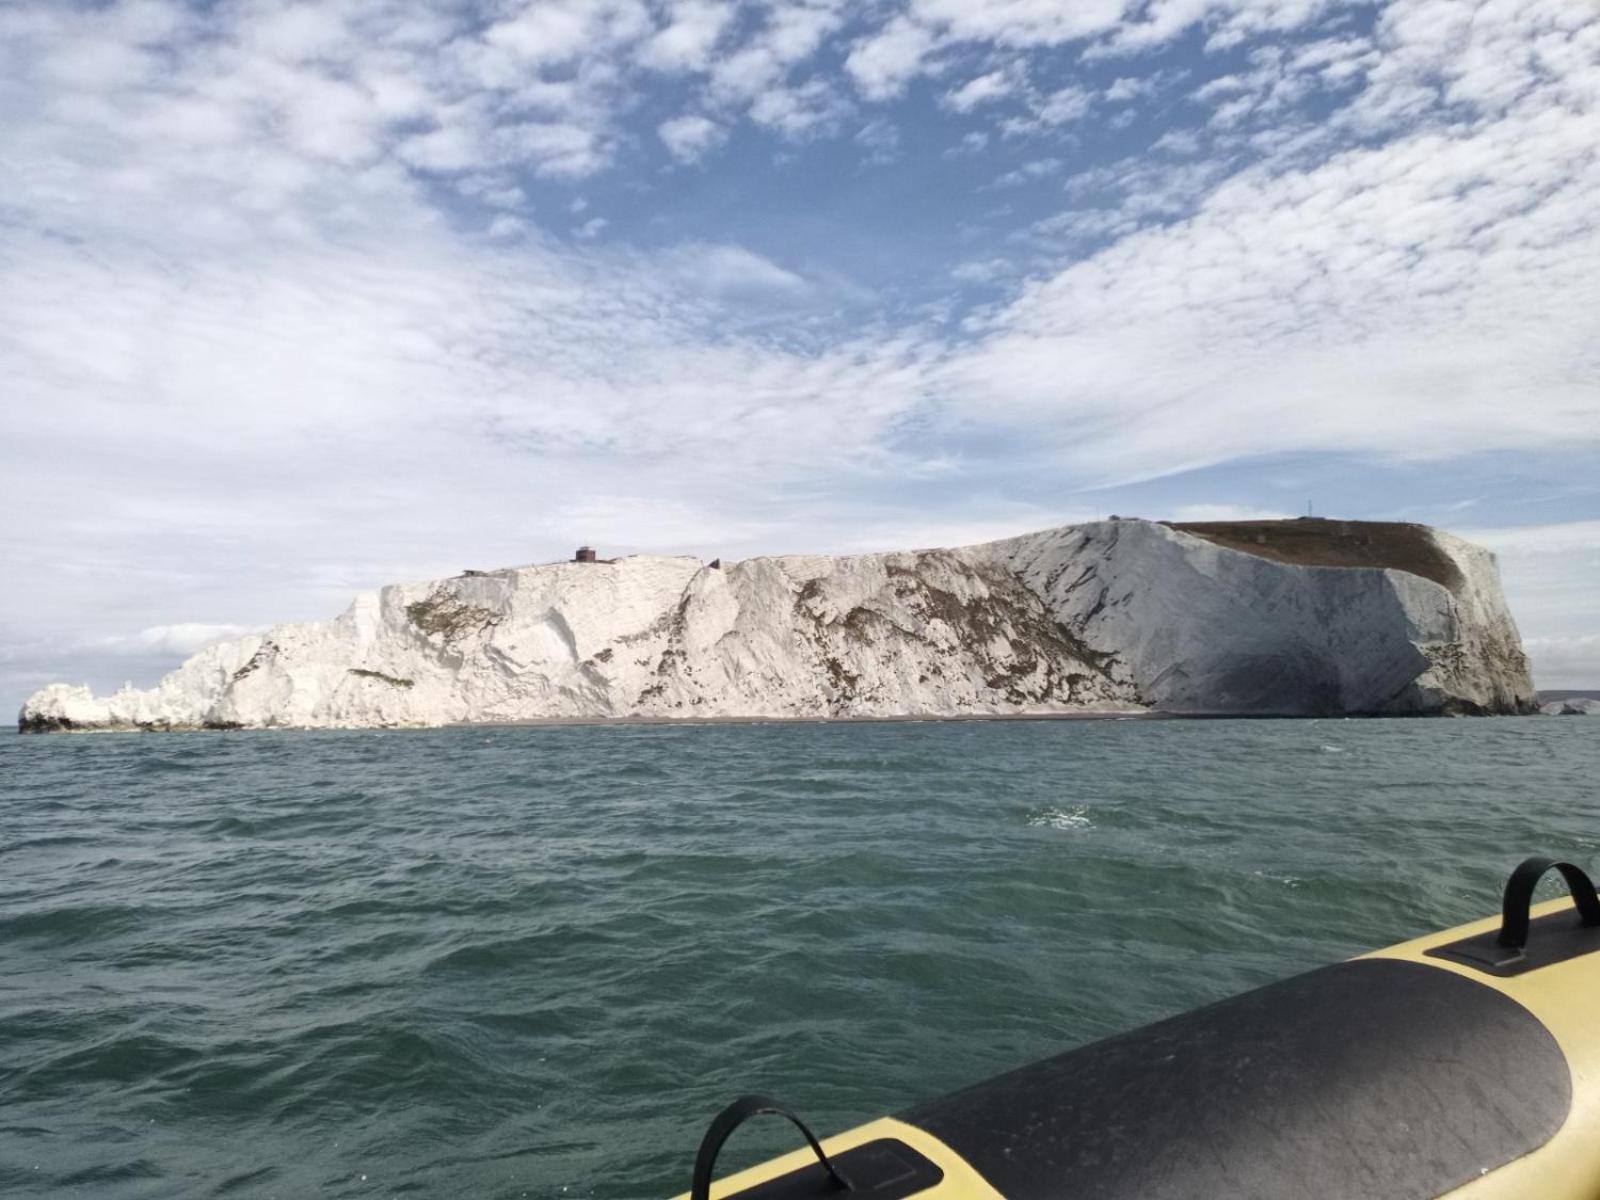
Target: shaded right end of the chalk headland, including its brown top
<point>1199,626</point>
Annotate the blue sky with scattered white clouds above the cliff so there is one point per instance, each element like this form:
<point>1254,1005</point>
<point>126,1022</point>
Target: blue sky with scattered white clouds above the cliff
<point>302,300</point>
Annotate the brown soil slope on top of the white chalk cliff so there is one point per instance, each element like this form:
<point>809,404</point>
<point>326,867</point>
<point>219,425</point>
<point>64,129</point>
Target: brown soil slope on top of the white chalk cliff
<point>1332,543</point>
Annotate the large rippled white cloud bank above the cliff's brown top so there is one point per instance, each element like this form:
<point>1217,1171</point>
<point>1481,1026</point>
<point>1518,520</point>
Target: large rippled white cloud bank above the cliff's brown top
<point>1423,297</point>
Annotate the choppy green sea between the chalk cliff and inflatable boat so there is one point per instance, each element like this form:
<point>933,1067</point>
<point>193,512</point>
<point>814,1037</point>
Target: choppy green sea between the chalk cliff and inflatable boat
<point>535,962</point>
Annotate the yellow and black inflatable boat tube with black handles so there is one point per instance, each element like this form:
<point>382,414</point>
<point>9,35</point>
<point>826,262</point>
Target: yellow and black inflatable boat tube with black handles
<point>1465,1065</point>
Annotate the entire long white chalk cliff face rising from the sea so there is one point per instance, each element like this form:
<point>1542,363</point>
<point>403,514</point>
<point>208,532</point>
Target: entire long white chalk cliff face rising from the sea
<point>1114,615</point>
